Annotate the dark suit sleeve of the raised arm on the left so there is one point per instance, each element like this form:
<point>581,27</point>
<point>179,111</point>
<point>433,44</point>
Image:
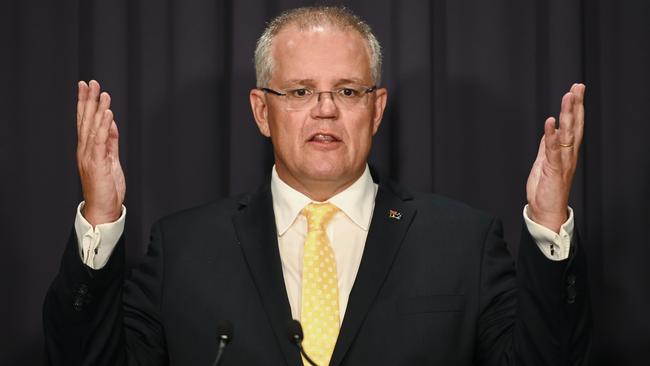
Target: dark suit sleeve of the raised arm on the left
<point>95,317</point>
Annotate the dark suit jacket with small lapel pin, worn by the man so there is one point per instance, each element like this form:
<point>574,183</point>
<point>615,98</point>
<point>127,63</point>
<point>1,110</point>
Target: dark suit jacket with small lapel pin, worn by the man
<point>436,287</point>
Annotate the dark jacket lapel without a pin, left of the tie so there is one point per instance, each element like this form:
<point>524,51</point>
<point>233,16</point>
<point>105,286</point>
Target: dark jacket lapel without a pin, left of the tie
<point>255,226</point>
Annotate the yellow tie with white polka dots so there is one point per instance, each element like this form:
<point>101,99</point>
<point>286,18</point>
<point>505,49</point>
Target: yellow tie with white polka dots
<point>320,286</point>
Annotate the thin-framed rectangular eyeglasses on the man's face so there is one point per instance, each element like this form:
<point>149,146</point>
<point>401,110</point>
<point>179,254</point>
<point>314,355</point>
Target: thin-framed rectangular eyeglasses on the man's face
<point>348,97</point>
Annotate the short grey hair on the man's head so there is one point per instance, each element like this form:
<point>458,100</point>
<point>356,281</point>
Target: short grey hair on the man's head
<point>307,18</point>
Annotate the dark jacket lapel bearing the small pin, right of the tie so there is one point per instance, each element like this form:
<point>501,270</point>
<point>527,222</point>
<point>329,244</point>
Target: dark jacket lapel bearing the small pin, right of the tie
<point>390,222</point>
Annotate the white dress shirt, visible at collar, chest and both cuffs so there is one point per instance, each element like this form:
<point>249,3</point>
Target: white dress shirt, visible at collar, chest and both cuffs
<point>347,233</point>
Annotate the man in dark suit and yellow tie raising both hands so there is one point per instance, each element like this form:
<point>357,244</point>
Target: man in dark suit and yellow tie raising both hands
<point>376,275</point>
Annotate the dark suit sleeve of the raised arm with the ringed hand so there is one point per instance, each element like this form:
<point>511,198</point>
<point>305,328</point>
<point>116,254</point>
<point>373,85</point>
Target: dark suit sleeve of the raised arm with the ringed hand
<point>536,314</point>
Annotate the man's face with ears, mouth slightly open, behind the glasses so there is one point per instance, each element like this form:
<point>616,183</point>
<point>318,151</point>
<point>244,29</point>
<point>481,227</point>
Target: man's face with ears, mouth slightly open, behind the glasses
<point>322,149</point>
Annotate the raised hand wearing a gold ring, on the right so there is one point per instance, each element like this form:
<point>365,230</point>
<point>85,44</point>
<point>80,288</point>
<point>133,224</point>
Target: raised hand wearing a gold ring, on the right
<point>549,183</point>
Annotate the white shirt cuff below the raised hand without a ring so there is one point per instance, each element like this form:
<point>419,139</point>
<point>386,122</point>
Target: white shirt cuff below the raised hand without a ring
<point>96,244</point>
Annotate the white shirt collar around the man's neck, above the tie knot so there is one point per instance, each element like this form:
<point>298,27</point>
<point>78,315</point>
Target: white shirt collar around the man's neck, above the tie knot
<point>357,201</point>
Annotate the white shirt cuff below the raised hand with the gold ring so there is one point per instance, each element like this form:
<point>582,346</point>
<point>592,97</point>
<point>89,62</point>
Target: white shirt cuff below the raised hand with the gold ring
<point>554,246</point>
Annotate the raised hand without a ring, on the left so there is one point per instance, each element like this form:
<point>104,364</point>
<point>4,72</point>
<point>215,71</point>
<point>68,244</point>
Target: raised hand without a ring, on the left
<point>98,160</point>
